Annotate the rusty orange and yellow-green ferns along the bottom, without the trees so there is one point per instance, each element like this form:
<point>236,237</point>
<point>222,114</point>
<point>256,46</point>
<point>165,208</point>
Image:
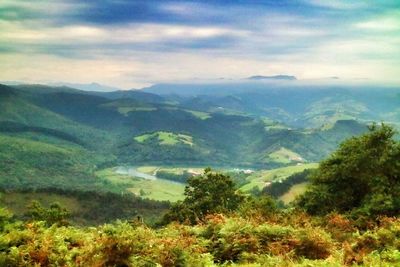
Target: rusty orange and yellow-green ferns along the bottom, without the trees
<point>289,239</point>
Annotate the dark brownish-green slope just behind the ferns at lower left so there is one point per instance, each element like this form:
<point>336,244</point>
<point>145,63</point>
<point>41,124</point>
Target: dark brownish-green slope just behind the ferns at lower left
<point>84,207</point>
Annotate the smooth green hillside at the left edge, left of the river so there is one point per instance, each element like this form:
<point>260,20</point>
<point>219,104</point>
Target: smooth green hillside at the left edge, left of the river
<point>33,164</point>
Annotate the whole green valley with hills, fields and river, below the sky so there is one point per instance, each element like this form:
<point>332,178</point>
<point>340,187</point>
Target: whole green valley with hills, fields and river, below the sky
<point>149,142</point>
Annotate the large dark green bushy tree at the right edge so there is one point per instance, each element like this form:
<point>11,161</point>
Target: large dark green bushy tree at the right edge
<point>363,175</point>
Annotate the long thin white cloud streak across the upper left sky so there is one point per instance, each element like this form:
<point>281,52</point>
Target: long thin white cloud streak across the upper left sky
<point>17,32</point>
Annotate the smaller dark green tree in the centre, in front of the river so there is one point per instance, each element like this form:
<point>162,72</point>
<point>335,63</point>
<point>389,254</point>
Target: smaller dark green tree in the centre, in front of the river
<point>205,194</point>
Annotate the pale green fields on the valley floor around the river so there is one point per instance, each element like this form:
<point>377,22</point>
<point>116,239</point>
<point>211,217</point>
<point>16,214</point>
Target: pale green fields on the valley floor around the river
<point>172,190</point>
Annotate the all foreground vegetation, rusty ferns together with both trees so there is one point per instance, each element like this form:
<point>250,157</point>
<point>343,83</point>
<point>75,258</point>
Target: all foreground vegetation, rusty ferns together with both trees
<point>218,226</point>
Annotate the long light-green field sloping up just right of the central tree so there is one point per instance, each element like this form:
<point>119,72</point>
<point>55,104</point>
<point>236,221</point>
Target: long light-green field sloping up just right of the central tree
<point>260,178</point>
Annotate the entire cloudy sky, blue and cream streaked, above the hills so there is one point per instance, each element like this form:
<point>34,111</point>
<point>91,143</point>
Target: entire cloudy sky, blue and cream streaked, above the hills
<point>132,44</point>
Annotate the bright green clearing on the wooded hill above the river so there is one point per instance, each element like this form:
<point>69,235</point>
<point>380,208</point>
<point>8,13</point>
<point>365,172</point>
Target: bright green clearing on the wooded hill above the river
<point>166,138</point>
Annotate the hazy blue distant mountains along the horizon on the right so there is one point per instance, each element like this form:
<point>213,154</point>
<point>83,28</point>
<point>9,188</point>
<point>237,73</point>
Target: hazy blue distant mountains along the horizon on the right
<point>295,104</point>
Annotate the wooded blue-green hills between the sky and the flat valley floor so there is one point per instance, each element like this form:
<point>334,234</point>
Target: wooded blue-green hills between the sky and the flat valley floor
<point>88,131</point>
